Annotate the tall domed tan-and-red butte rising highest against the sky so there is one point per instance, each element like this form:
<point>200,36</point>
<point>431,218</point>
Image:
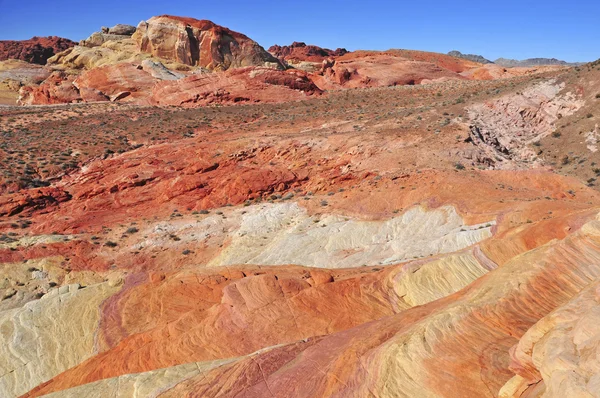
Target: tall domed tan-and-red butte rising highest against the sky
<point>199,42</point>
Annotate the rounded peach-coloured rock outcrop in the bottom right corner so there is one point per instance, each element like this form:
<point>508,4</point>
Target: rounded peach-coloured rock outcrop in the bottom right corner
<point>557,357</point>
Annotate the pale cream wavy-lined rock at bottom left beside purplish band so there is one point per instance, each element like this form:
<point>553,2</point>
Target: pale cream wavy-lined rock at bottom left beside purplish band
<point>48,336</point>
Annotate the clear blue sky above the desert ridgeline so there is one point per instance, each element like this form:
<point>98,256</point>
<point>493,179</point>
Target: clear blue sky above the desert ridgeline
<point>568,30</point>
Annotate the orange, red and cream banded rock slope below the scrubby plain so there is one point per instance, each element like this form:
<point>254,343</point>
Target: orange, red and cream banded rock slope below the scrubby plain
<point>201,290</point>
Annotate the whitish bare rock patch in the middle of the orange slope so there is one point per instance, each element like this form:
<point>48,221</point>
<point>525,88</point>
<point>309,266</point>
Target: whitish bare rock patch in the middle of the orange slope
<point>284,234</point>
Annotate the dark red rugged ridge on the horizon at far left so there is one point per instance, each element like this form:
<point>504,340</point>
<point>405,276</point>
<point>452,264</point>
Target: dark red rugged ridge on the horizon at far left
<point>36,50</point>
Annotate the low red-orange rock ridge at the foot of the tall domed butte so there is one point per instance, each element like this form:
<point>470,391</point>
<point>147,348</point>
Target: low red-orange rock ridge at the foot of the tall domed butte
<point>132,84</point>
